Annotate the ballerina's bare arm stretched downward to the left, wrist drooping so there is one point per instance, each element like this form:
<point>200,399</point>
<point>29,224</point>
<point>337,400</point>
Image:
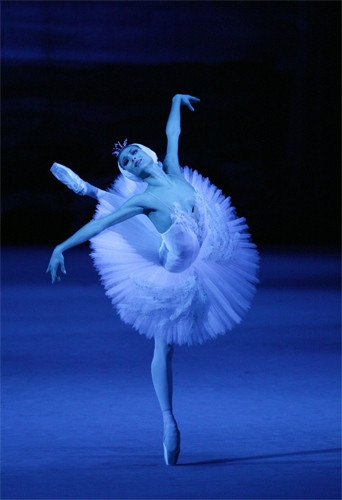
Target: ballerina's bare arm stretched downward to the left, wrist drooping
<point>132,207</point>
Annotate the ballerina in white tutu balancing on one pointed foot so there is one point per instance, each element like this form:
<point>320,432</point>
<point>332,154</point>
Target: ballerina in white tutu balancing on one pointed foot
<point>176,261</point>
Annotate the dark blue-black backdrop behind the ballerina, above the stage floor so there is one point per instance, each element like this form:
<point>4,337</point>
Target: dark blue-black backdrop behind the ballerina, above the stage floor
<point>79,76</point>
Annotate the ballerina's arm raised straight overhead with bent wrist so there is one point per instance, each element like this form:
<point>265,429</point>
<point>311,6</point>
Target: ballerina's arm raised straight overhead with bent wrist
<point>173,130</point>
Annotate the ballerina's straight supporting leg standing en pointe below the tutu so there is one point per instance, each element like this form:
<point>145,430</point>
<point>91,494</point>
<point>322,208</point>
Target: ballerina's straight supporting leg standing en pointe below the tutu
<point>161,369</point>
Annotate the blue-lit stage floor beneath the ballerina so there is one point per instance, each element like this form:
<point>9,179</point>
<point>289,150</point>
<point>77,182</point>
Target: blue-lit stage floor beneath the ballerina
<point>258,409</point>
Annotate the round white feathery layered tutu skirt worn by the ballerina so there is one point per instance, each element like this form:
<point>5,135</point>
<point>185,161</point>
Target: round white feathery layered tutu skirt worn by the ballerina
<point>188,307</point>
